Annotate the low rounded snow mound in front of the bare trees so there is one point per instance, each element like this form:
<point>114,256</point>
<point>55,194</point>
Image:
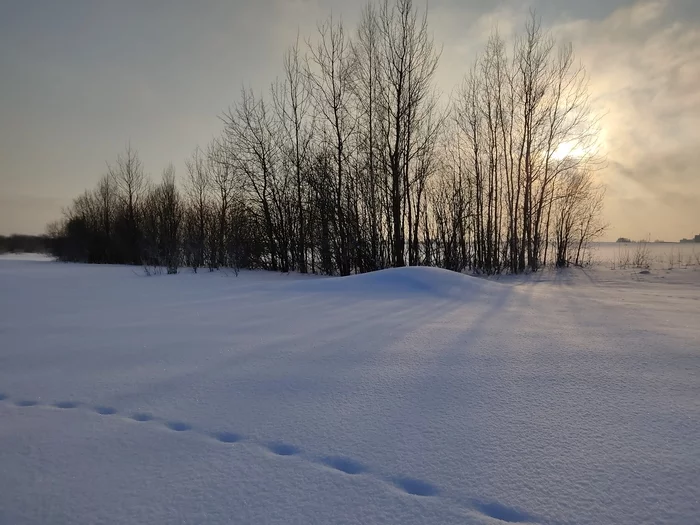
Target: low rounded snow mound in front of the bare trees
<point>413,280</point>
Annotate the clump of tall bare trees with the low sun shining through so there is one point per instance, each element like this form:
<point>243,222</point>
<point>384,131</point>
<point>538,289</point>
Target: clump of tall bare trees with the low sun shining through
<point>527,138</point>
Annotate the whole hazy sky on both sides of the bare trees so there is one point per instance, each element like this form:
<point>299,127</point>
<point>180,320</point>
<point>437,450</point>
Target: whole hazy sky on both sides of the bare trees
<point>80,79</point>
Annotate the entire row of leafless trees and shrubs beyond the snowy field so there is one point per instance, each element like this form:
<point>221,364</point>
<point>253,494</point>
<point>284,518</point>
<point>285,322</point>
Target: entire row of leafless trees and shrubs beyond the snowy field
<point>350,163</point>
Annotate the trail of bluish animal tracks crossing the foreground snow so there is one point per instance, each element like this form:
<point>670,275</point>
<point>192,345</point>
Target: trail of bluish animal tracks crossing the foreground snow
<point>412,487</point>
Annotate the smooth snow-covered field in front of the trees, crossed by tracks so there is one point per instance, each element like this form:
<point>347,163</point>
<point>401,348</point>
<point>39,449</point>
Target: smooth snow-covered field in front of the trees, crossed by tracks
<point>404,396</point>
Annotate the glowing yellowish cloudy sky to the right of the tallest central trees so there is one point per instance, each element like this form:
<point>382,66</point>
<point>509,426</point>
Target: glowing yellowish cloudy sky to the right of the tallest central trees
<point>643,60</point>
